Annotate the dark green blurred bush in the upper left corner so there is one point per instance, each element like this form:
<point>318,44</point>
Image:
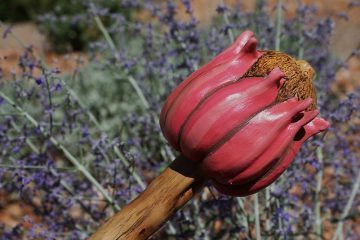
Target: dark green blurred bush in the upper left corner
<point>66,23</point>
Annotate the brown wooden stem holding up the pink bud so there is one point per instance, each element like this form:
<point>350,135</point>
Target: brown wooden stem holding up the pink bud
<point>167,193</point>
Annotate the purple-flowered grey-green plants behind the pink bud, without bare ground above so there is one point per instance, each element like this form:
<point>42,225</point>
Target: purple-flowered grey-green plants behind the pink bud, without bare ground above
<point>76,147</point>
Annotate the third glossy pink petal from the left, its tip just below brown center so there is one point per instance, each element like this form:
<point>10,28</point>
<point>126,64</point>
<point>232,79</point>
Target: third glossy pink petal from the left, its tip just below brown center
<point>250,140</point>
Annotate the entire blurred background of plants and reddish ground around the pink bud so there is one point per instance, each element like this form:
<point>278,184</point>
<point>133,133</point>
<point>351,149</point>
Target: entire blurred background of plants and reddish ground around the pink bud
<point>95,75</point>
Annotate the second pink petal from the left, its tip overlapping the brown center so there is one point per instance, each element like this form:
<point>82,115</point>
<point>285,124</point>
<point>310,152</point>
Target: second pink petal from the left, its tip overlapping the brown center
<point>231,105</point>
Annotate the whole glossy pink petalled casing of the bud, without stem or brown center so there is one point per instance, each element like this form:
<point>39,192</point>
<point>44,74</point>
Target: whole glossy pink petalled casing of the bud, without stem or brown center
<point>233,125</point>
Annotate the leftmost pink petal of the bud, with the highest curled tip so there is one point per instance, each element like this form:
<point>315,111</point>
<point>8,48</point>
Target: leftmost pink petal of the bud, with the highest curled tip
<point>227,67</point>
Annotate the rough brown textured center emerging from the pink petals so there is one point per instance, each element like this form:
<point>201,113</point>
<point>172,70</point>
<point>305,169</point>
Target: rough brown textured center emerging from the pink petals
<point>298,73</point>
